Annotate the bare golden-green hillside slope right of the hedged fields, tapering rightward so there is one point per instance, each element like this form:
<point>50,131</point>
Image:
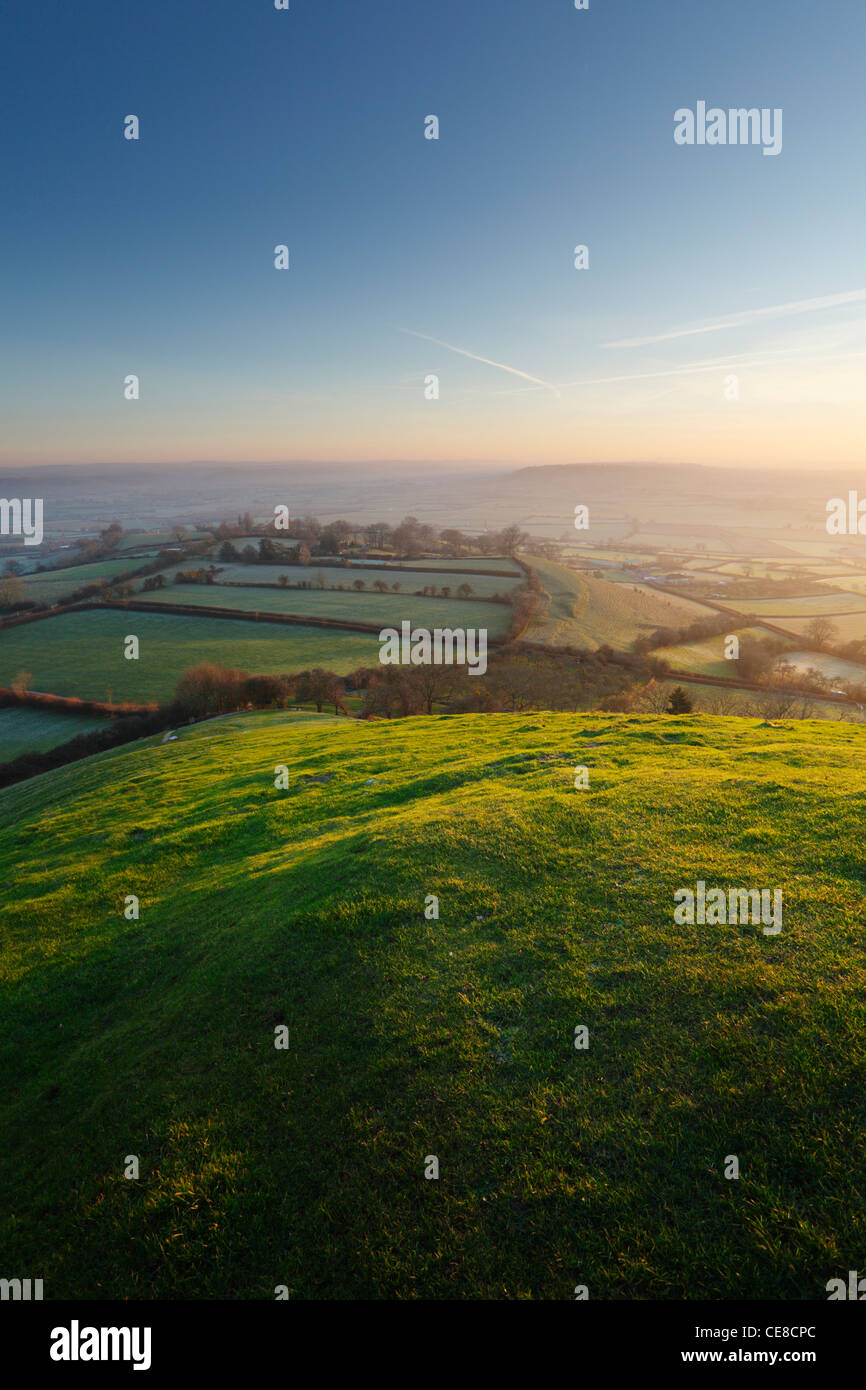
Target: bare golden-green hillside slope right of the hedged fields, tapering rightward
<point>589,614</point>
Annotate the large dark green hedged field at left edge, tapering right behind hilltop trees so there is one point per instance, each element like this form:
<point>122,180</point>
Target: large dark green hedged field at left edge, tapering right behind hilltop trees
<point>81,654</point>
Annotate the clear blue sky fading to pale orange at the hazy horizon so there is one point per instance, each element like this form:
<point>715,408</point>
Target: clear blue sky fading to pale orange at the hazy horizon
<point>721,320</point>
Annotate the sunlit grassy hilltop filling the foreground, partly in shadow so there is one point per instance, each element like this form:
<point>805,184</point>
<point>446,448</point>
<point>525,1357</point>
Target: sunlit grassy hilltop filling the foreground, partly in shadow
<point>455,1038</point>
